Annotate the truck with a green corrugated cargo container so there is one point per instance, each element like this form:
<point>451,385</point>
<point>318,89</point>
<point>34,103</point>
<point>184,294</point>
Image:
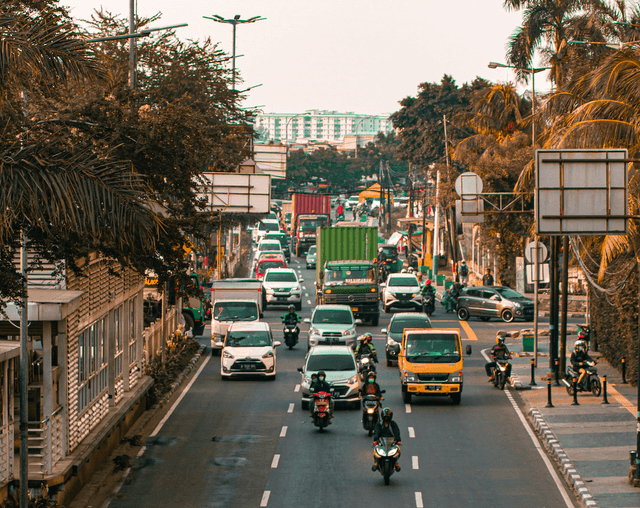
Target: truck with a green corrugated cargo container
<point>346,270</point>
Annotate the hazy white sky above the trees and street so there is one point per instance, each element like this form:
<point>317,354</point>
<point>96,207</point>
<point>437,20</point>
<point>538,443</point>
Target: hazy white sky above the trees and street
<point>345,55</point>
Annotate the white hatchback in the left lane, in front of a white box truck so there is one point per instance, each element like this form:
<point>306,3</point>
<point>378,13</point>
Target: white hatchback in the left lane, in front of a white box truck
<point>249,350</point>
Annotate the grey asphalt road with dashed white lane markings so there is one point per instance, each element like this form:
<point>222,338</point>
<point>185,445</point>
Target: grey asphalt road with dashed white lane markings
<point>248,443</point>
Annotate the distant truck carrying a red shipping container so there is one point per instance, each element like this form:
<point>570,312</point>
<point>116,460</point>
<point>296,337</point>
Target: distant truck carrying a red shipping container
<point>308,211</point>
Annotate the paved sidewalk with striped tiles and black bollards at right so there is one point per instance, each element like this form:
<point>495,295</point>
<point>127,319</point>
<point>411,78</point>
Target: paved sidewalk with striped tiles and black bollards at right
<point>590,442</point>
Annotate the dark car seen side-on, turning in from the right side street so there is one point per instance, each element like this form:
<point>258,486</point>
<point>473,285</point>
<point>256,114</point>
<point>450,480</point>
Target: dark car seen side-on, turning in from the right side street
<point>486,302</point>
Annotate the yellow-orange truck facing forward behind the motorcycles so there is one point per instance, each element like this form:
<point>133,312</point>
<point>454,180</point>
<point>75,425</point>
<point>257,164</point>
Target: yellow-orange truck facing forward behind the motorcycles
<point>430,363</point>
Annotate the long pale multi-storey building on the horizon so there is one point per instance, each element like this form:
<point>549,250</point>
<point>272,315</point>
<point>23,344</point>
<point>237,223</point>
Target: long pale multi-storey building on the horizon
<point>318,125</point>
